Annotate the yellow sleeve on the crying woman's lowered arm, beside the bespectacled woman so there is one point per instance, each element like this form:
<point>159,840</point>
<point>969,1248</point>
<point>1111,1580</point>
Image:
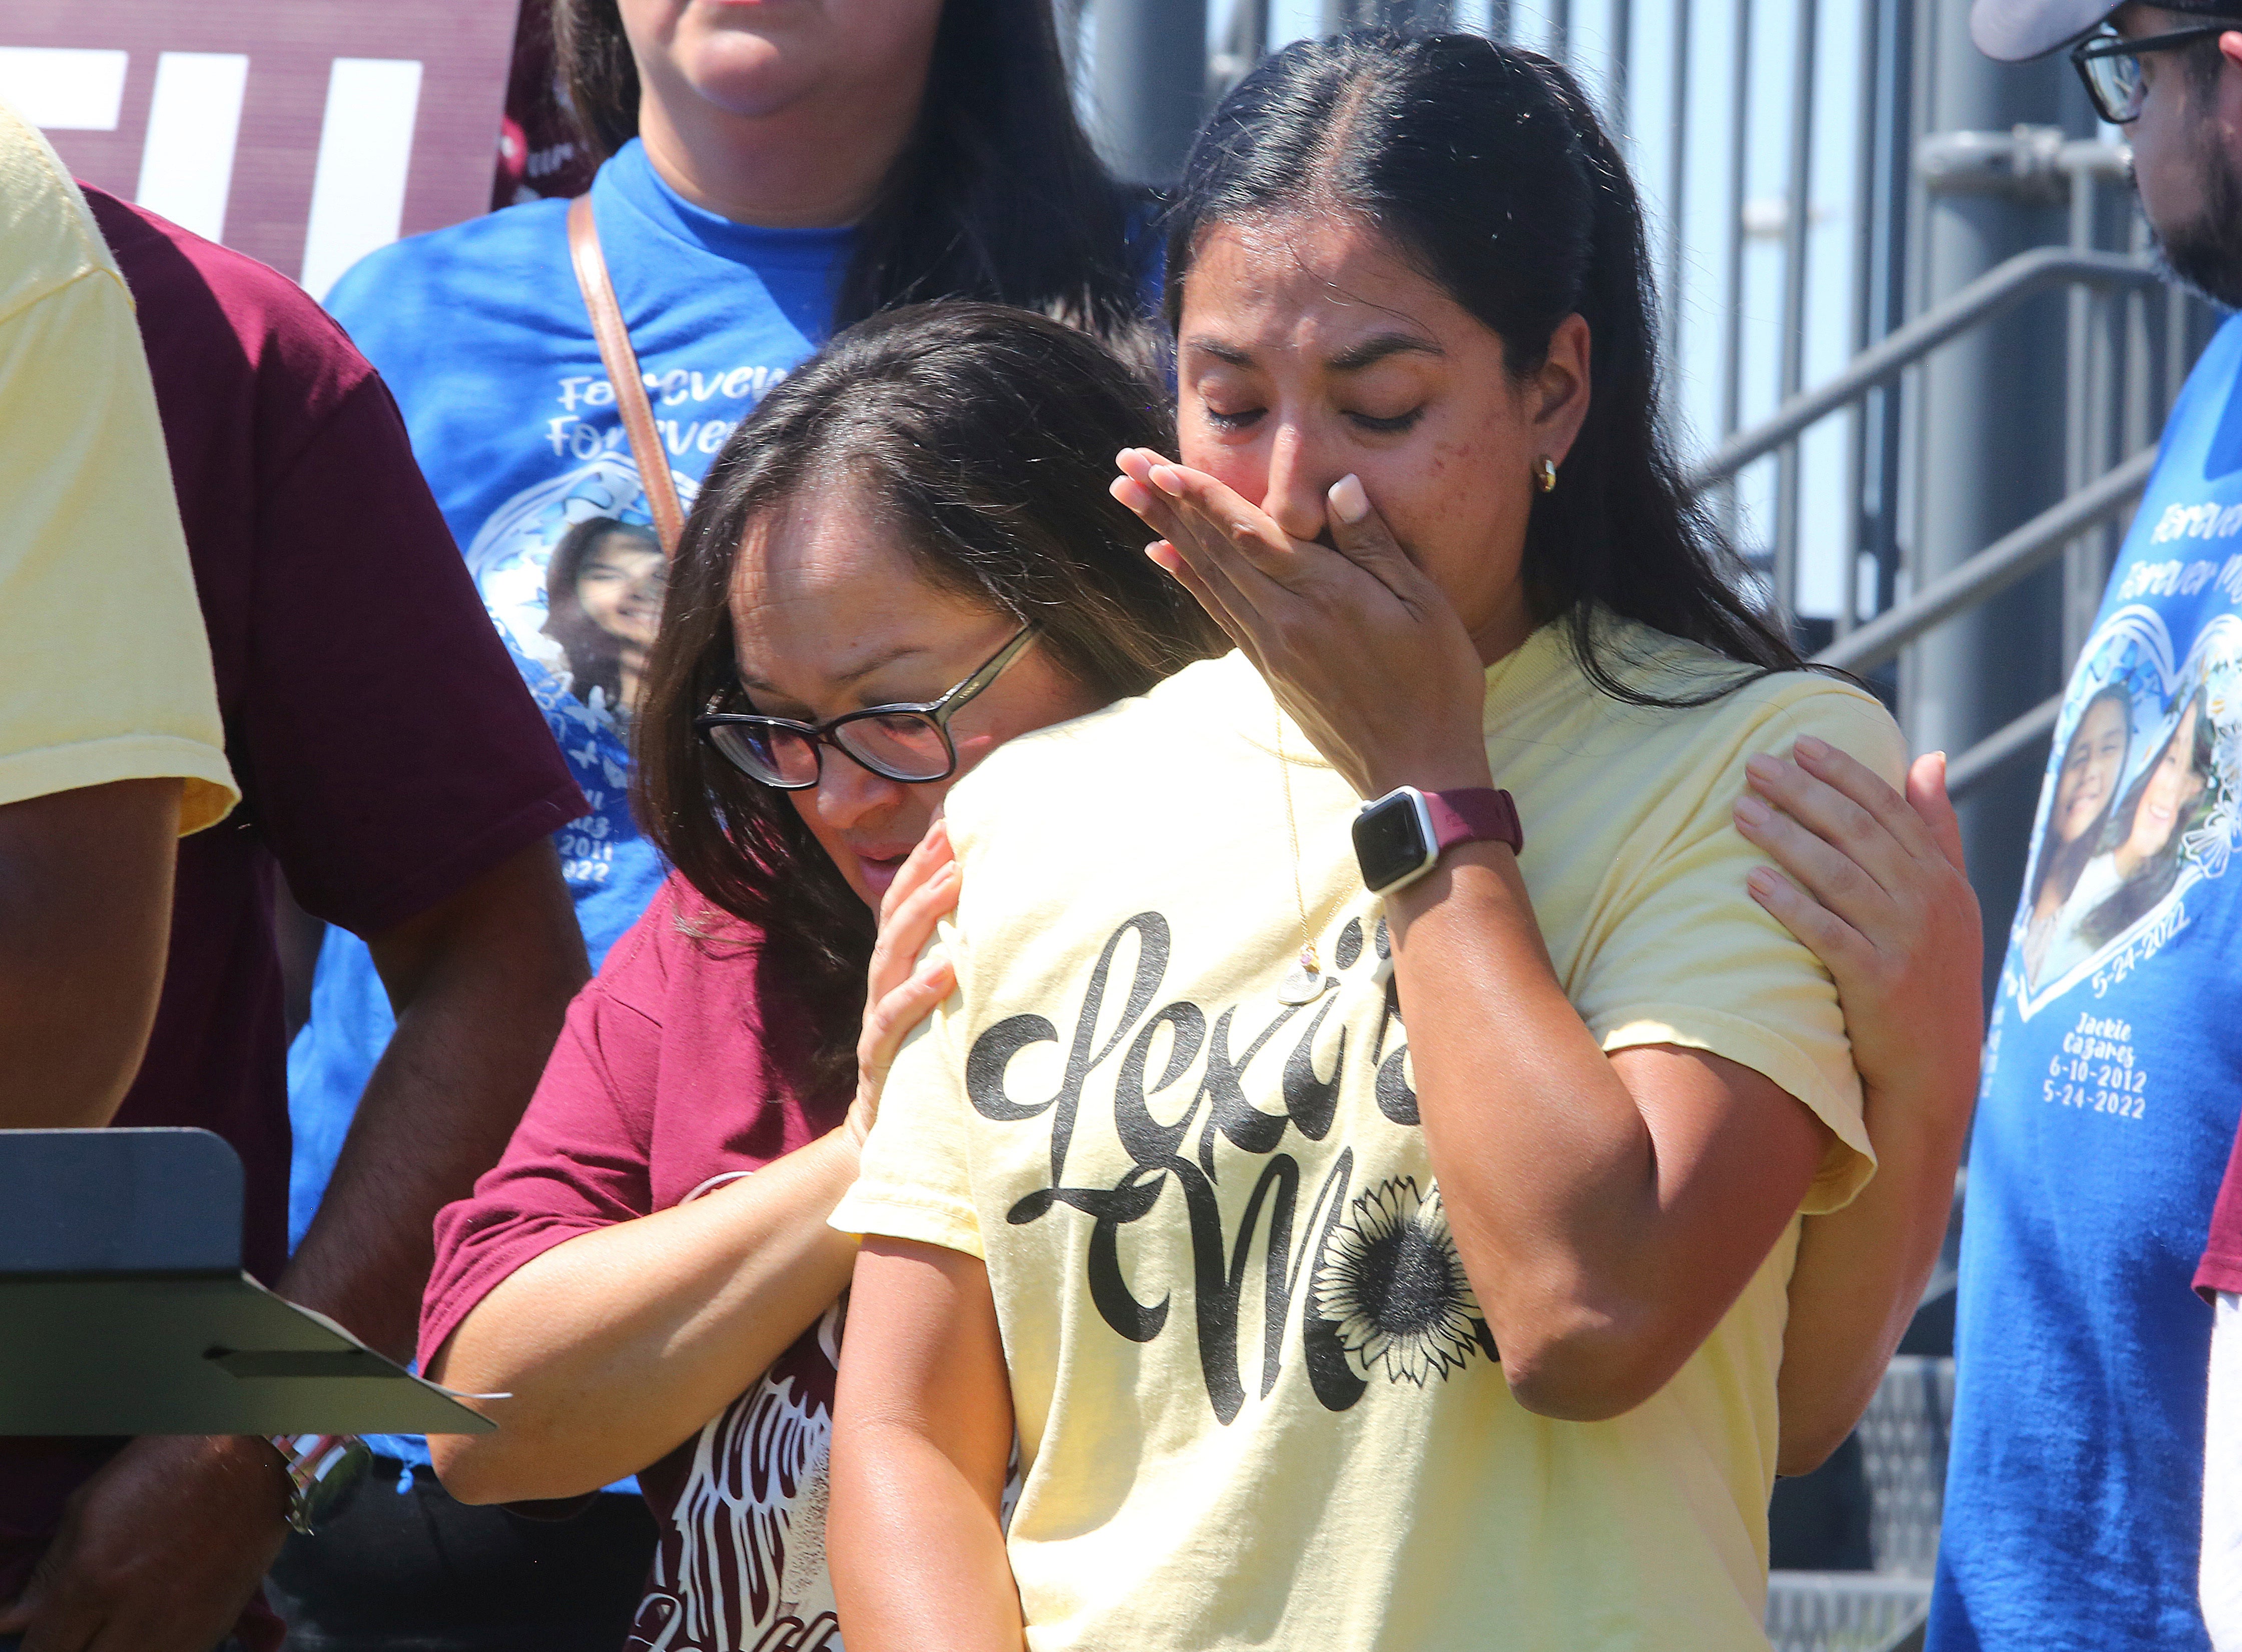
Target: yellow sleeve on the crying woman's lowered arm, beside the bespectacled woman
<point>916,1178</point>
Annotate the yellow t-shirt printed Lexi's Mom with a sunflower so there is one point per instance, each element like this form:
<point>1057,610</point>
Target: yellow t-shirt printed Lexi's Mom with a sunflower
<point>1257,1402</point>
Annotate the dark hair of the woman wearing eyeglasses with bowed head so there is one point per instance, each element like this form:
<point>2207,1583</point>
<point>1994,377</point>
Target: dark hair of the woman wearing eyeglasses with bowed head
<point>985,436</point>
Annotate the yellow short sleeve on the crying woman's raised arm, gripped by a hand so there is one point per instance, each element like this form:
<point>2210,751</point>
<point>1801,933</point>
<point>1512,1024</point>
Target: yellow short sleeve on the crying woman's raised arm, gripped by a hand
<point>1689,958</point>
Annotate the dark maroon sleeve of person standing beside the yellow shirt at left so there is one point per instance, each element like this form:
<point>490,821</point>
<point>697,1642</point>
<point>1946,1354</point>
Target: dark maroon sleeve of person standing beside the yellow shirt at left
<point>373,649</point>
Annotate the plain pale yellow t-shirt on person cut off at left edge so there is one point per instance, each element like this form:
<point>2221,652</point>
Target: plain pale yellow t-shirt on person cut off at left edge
<point>102,651</point>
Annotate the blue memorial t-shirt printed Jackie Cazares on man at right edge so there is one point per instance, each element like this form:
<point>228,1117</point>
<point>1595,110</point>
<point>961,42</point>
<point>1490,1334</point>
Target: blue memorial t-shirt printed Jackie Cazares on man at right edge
<point>2111,1093</point>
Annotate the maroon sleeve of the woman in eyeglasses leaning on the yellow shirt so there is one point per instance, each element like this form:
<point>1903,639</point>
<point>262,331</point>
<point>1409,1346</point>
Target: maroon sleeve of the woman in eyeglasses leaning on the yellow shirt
<point>582,1156</point>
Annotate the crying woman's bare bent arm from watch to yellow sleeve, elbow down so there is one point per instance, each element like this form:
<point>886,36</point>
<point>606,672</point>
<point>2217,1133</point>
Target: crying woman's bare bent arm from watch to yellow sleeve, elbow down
<point>1609,1209</point>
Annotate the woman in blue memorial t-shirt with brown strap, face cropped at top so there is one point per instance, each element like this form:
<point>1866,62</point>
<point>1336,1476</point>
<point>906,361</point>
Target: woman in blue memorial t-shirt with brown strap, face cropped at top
<point>770,174</point>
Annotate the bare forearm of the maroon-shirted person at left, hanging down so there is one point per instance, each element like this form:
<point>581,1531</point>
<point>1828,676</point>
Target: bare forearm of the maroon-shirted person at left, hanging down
<point>481,990</point>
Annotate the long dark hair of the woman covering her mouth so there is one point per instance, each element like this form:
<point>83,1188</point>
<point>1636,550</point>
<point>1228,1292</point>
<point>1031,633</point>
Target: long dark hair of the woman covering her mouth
<point>1490,169</point>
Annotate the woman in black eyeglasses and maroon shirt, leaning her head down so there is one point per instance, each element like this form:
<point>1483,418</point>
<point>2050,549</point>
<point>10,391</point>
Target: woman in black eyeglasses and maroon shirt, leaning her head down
<point>905,559</point>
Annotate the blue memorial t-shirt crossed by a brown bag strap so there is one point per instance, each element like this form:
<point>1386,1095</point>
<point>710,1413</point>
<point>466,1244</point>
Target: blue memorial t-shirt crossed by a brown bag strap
<point>483,337</point>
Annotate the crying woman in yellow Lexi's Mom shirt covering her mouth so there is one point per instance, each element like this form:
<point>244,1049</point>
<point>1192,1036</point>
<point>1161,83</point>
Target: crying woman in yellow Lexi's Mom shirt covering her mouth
<point>1371,1245</point>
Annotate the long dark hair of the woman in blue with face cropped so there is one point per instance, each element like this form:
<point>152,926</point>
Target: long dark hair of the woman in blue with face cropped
<point>997,196</point>
